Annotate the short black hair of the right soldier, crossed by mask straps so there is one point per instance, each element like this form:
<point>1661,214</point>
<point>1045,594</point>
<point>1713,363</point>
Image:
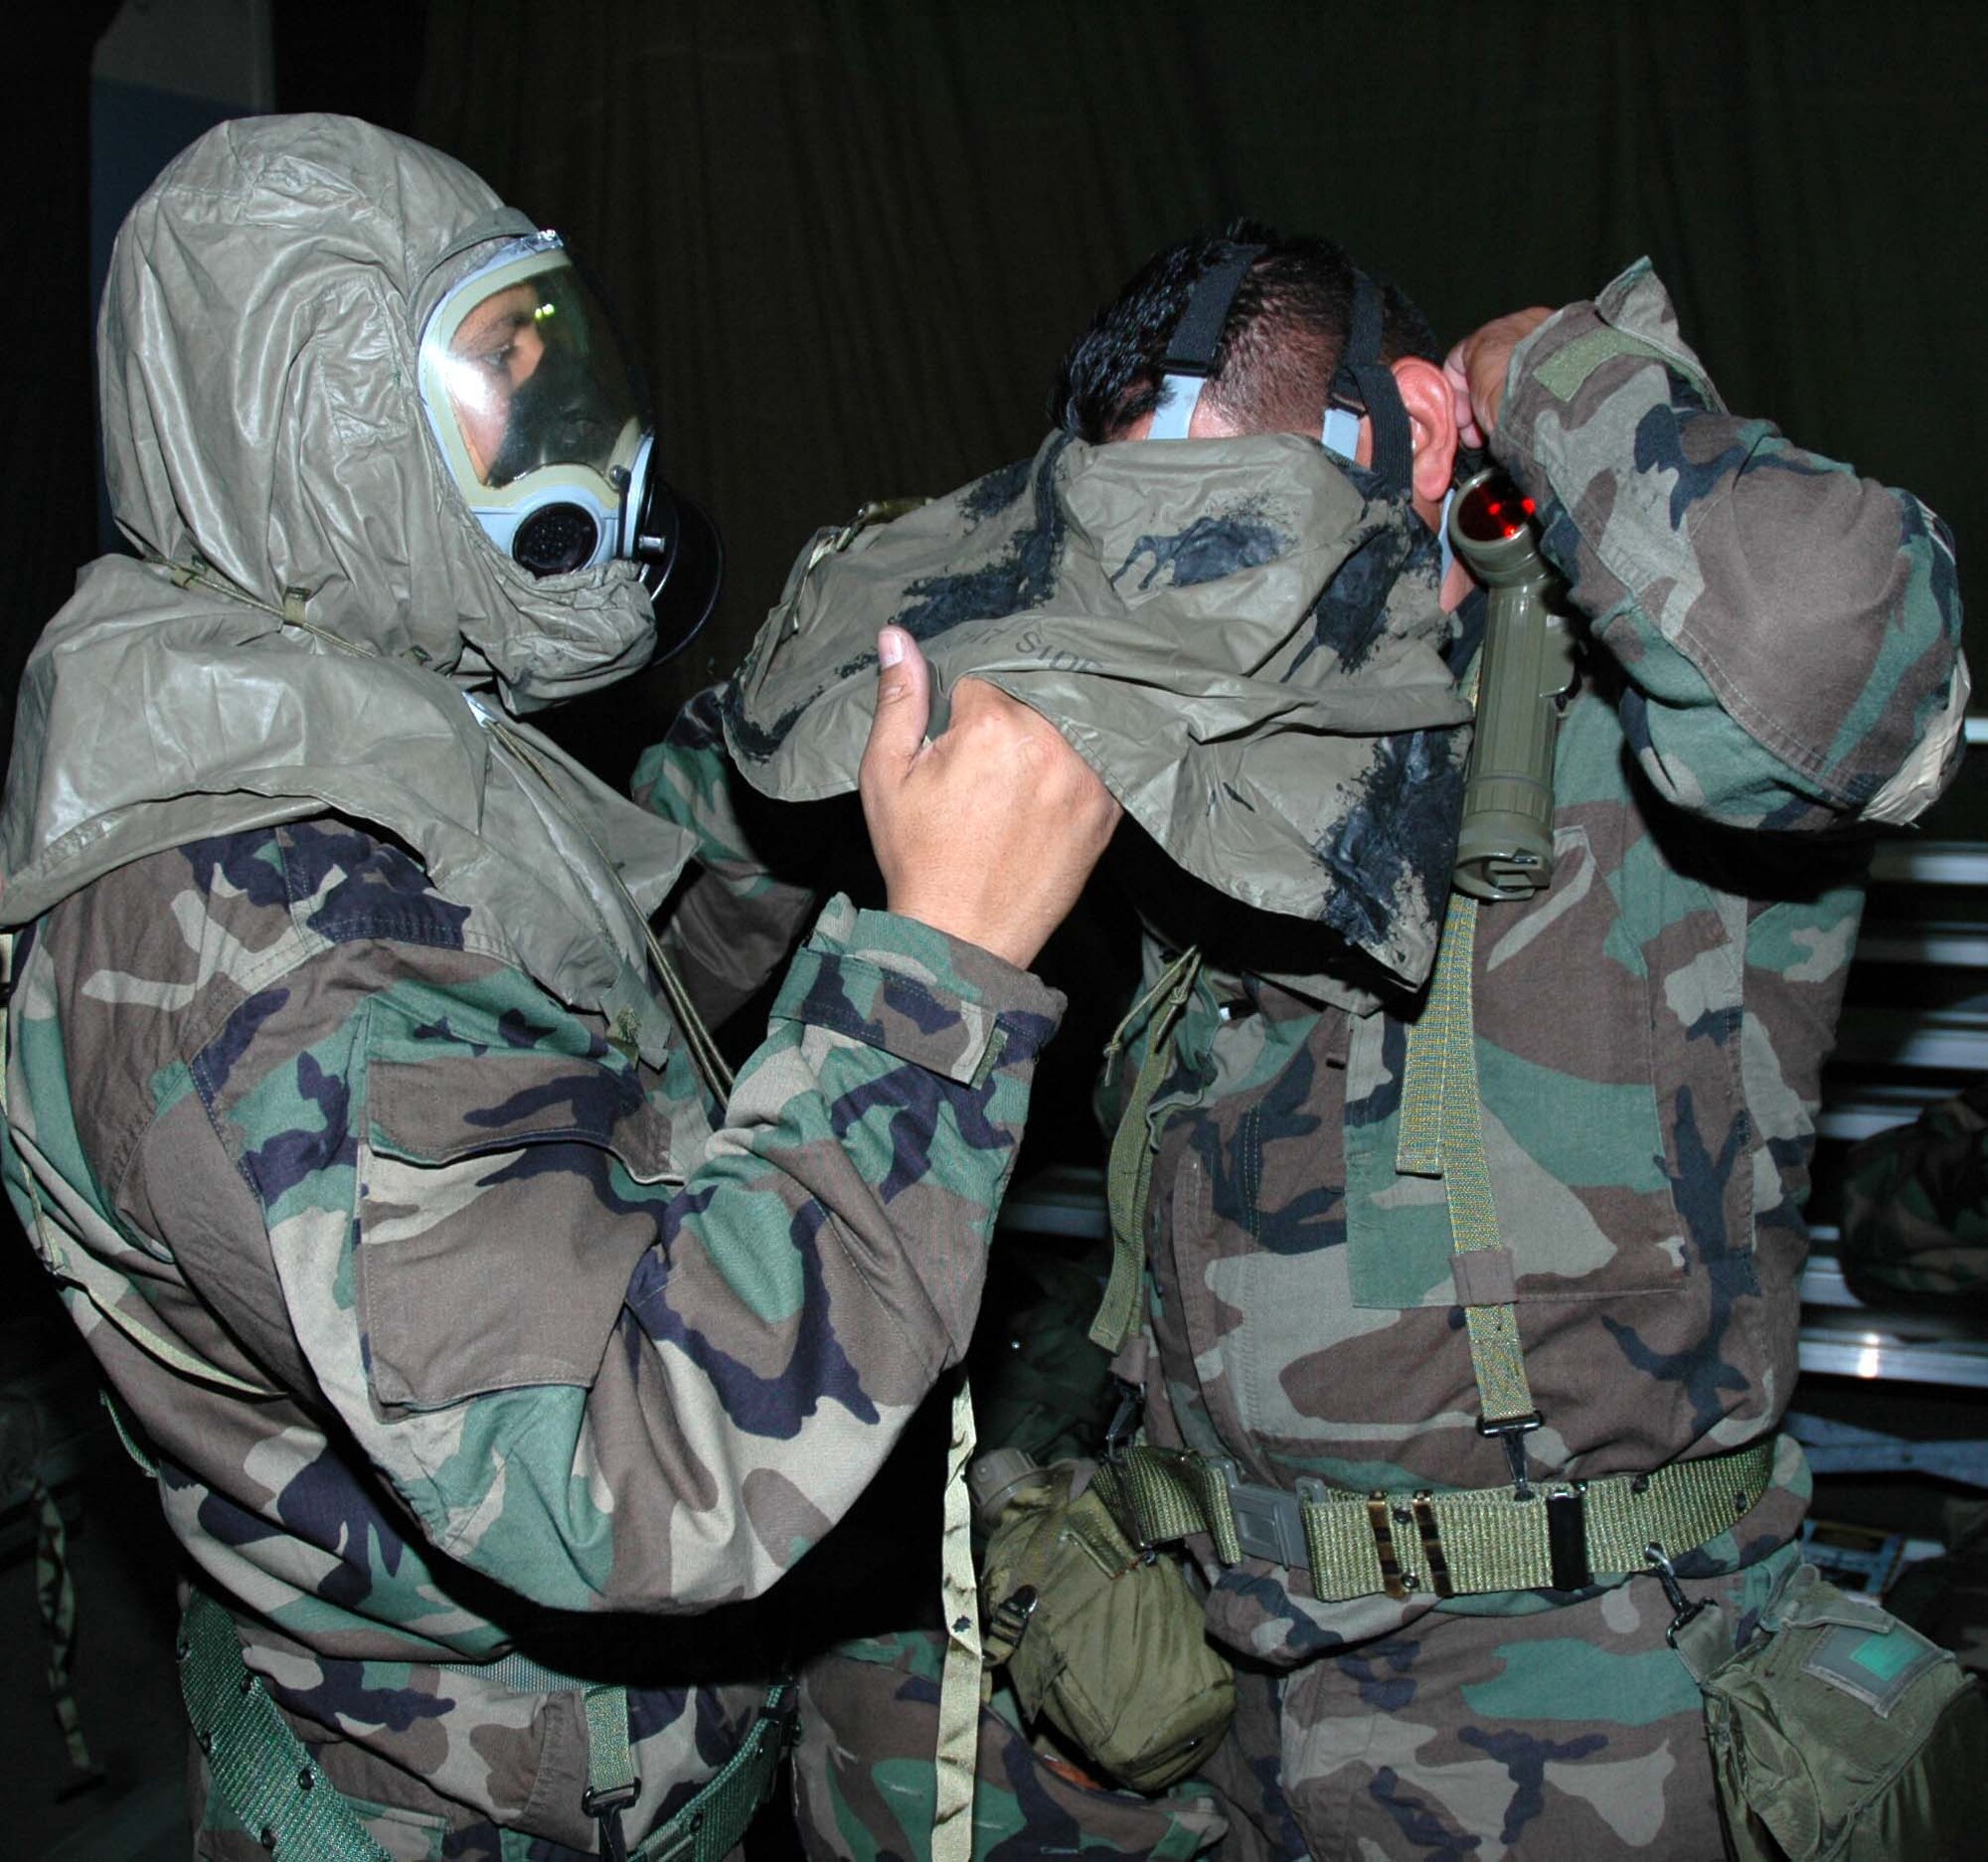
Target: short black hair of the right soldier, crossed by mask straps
<point>1283,341</point>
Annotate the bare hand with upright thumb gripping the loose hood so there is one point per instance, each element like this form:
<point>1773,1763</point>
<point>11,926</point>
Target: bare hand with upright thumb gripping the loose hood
<point>989,833</point>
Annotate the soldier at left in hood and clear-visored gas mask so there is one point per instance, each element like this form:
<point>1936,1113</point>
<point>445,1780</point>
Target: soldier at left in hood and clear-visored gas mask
<point>490,1344</point>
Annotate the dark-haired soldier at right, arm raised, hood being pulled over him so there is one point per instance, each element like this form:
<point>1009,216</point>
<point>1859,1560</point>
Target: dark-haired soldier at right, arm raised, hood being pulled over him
<point>1456,1248</point>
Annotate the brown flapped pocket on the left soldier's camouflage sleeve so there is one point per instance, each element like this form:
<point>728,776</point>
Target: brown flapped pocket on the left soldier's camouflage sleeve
<point>504,1205</point>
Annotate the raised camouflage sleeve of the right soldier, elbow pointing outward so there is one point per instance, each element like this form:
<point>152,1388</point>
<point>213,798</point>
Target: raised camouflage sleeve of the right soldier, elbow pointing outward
<point>1790,632</point>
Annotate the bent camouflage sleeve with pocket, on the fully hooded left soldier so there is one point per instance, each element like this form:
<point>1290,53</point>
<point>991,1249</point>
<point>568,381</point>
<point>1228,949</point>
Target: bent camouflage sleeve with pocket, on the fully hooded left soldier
<point>593,1380</point>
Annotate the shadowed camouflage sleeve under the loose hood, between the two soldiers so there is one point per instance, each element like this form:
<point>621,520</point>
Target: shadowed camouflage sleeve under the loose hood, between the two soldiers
<point>737,920</point>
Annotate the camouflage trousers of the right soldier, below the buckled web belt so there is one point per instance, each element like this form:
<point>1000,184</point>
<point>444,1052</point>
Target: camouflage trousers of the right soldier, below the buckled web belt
<point>1562,1734</point>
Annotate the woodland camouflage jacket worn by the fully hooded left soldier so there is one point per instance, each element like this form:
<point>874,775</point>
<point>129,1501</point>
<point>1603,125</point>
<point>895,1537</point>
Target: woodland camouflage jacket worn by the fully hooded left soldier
<point>540,1350</point>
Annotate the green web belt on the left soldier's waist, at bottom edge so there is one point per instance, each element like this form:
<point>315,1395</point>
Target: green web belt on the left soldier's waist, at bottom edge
<point>267,1777</point>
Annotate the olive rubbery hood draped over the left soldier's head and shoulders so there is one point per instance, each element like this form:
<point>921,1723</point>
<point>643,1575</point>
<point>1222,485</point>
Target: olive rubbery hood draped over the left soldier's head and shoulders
<point>317,622</point>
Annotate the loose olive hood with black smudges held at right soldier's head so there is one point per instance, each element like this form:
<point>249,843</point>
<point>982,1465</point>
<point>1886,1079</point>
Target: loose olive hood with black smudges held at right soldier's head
<point>1242,640</point>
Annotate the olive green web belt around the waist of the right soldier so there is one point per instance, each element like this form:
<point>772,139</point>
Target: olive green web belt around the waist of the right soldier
<point>1558,1535</point>
